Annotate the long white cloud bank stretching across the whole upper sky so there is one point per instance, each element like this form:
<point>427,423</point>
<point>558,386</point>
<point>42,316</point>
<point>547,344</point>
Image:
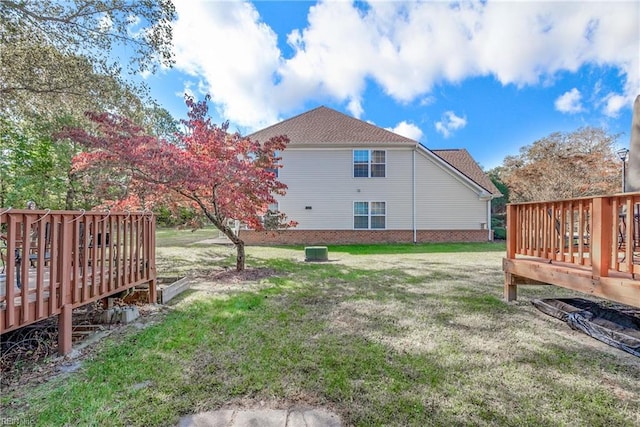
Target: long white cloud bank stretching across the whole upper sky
<point>406,48</point>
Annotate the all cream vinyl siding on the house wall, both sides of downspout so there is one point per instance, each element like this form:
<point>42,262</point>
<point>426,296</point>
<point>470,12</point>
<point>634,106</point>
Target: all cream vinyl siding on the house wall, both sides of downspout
<point>322,190</point>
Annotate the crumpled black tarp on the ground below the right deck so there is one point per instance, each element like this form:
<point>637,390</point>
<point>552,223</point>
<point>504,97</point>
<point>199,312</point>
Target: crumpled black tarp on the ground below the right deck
<point>618,326</point>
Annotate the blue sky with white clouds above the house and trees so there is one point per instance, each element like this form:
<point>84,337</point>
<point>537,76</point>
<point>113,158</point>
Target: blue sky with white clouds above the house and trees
<point>486,76</point>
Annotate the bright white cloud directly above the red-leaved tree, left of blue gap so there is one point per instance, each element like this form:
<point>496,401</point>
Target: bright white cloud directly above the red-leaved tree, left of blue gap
<point>227,45</point>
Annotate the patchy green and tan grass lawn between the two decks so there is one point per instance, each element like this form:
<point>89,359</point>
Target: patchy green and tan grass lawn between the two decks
<point>400,335</point>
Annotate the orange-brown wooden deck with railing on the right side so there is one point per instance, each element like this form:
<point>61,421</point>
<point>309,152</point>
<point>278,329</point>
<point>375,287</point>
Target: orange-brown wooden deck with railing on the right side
<point>591,245</point>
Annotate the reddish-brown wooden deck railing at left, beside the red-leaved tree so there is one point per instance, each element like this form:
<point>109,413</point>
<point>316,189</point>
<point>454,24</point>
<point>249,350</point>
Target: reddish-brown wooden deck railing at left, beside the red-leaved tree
<point>55,261</point>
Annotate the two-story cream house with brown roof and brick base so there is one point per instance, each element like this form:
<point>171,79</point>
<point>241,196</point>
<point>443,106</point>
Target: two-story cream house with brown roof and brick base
<point>352,182</point>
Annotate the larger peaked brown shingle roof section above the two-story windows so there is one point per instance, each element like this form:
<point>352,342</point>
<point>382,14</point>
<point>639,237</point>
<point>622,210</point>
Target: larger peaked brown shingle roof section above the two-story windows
<point>323,125</point>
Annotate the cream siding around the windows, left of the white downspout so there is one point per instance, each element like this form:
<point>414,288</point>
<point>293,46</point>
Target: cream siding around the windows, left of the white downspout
<point>322,189</point>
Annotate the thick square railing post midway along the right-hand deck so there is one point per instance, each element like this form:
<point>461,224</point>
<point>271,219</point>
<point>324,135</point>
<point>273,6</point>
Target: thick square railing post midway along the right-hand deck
<point>601,238</point>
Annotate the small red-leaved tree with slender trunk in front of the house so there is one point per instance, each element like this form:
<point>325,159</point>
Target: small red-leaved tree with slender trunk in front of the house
<point>228,177</point>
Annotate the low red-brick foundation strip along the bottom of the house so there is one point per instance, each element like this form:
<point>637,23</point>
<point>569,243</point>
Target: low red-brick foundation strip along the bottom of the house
<point>324,237</point>
